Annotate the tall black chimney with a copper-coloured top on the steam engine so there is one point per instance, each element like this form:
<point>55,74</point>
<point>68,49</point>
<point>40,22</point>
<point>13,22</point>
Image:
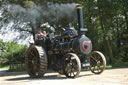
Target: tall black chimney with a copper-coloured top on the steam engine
<point>82,30</point>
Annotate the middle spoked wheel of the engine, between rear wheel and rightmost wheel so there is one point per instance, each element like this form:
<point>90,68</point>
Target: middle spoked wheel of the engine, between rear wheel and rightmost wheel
<point>71,66</point>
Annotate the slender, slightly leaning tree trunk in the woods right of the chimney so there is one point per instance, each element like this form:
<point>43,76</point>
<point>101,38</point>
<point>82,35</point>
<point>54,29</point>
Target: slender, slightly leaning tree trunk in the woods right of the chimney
<point>104,27</point>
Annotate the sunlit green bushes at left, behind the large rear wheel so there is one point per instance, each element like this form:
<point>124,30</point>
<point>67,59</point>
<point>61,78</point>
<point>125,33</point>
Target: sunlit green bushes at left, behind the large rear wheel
<point>12,53</point>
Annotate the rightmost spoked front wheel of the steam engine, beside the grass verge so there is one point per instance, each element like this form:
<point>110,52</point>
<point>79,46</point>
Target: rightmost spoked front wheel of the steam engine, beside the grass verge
<point>97,62</point>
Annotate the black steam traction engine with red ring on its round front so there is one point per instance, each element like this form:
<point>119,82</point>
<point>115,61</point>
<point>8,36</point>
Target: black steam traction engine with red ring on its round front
<point>66,54</point>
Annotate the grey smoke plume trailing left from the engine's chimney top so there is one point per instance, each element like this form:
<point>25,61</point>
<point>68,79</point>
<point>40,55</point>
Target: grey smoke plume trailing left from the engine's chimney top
<point>54,14</point>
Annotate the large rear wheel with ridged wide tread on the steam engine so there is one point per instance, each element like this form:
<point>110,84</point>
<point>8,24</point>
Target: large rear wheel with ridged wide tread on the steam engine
<point>36,61</point>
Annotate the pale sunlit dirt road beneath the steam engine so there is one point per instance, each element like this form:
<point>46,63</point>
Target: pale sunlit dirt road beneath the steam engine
<point>108,77</point>
